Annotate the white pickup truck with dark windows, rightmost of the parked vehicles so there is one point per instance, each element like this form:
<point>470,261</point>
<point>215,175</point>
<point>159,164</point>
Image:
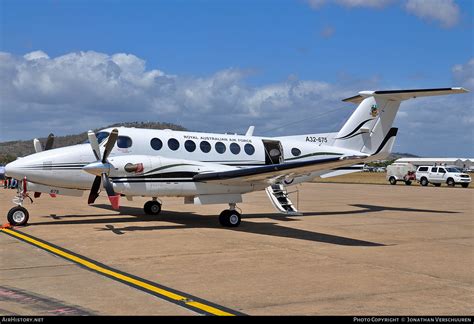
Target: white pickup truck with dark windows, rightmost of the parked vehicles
<point>442,174</point>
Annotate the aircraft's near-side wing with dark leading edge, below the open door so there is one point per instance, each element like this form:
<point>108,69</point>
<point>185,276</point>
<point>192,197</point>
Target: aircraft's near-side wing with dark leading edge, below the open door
<point>270,174</point>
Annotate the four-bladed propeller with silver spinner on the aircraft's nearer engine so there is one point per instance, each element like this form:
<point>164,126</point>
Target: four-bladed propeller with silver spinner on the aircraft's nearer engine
<point>101,169</point>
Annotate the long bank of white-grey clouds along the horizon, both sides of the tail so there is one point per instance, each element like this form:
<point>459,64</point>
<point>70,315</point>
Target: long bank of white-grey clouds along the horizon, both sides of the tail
<point>85,90</point>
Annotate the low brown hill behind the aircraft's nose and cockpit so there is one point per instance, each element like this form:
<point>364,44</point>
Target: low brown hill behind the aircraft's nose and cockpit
<point>9,151</point>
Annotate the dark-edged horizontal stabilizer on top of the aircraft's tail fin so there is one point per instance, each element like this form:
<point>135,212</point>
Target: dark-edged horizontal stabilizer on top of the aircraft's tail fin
<point>400,95</point>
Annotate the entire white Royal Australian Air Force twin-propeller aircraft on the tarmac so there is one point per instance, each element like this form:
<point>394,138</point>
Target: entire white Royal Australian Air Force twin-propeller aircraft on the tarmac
<point>207,168</point>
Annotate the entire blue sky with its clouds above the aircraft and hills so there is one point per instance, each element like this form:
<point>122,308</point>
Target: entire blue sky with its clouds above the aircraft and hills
<point>229,55</point>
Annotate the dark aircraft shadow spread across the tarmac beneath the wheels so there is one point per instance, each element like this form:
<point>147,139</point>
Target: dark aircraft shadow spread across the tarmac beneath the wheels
<point>185,220</point>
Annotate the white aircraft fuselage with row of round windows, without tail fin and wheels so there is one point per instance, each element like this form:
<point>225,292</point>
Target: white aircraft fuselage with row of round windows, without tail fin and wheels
<point>177,155</point>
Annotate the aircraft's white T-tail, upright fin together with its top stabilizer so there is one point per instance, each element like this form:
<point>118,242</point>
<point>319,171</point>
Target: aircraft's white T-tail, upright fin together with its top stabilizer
<point>369,129</point>
